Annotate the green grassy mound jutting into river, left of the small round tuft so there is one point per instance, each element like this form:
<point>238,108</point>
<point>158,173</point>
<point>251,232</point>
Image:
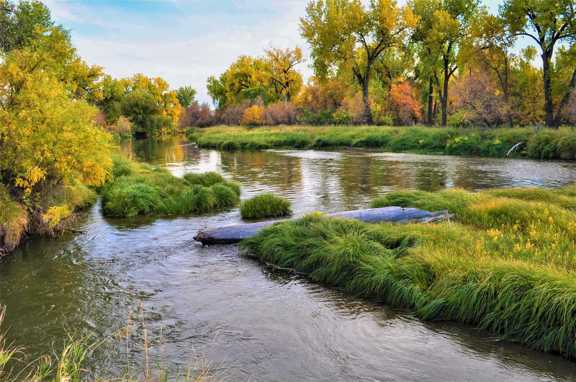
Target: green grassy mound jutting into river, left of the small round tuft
<point>143,190</point>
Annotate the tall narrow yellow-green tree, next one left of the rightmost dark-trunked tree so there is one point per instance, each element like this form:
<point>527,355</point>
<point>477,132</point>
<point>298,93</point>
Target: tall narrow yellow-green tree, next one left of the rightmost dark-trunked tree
<point>444,26</point>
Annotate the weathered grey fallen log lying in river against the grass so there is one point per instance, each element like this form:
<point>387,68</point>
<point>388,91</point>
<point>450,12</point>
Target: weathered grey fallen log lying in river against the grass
<point>236,233</point>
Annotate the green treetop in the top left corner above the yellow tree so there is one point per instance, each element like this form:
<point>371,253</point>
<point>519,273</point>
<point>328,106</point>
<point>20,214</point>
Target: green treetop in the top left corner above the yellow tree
<point>22,23</point>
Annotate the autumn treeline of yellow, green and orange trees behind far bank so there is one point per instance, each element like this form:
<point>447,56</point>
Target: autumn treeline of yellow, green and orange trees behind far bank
<point>438,62</point>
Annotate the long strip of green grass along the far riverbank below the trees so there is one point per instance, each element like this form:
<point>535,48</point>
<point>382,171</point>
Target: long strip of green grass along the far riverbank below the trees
<point>537,144</point>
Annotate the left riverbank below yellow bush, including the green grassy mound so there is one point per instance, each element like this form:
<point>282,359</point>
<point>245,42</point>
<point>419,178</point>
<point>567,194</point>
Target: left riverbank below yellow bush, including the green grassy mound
<point>133,189</point>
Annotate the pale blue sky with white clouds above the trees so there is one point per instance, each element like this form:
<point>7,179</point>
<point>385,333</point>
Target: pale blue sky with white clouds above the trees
<point>182,41</point>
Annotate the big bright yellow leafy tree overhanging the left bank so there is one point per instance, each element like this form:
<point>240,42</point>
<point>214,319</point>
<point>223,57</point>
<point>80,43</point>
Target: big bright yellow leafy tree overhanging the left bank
<point>47,138</point>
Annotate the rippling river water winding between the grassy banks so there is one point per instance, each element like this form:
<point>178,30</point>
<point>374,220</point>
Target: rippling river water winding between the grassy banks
<point>132,282</point>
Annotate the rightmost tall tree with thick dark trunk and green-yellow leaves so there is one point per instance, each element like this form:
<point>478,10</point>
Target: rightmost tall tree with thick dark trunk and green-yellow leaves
<point>547,23</point>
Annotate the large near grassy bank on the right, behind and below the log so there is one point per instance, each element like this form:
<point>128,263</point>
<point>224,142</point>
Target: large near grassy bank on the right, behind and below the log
<point>505,264</point>
